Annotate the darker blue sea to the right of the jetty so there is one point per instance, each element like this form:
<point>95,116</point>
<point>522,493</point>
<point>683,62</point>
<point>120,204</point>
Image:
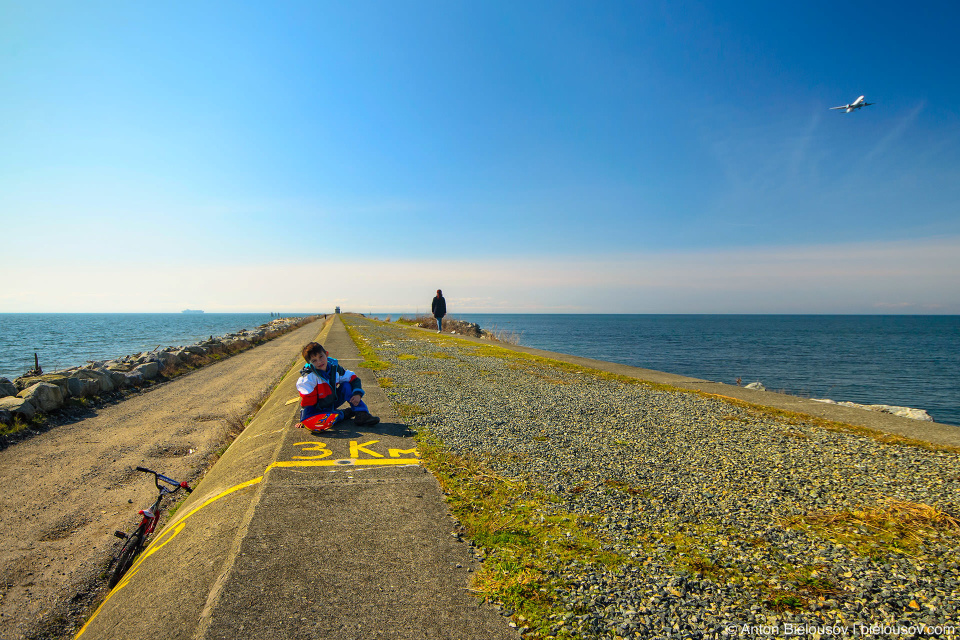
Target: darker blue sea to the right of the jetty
<point>911,361</point>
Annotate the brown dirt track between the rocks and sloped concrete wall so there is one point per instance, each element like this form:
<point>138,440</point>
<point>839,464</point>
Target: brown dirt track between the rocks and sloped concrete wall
<point>67,490</point>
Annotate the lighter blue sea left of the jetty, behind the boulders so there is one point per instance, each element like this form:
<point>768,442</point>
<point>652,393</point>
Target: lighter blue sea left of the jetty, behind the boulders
<point>65,340</point>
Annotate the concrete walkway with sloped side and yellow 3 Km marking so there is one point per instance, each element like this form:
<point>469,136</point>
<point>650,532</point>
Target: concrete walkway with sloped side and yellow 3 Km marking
<point>295,535</point>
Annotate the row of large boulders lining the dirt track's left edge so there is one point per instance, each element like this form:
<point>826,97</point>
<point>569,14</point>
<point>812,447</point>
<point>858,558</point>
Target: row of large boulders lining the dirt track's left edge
<point>45,393</point>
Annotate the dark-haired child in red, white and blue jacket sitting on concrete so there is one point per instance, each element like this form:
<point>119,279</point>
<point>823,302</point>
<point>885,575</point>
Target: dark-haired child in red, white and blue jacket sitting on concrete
<point>323,386</point>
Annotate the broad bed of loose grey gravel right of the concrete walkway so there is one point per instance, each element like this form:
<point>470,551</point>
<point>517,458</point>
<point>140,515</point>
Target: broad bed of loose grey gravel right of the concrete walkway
<point>644,465</point>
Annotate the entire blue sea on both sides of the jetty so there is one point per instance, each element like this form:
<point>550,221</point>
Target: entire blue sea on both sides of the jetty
<point>911,361</point>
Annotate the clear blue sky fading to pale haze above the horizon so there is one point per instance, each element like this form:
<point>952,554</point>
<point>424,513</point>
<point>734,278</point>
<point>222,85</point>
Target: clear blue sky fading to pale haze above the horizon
<point>525,157</point>
